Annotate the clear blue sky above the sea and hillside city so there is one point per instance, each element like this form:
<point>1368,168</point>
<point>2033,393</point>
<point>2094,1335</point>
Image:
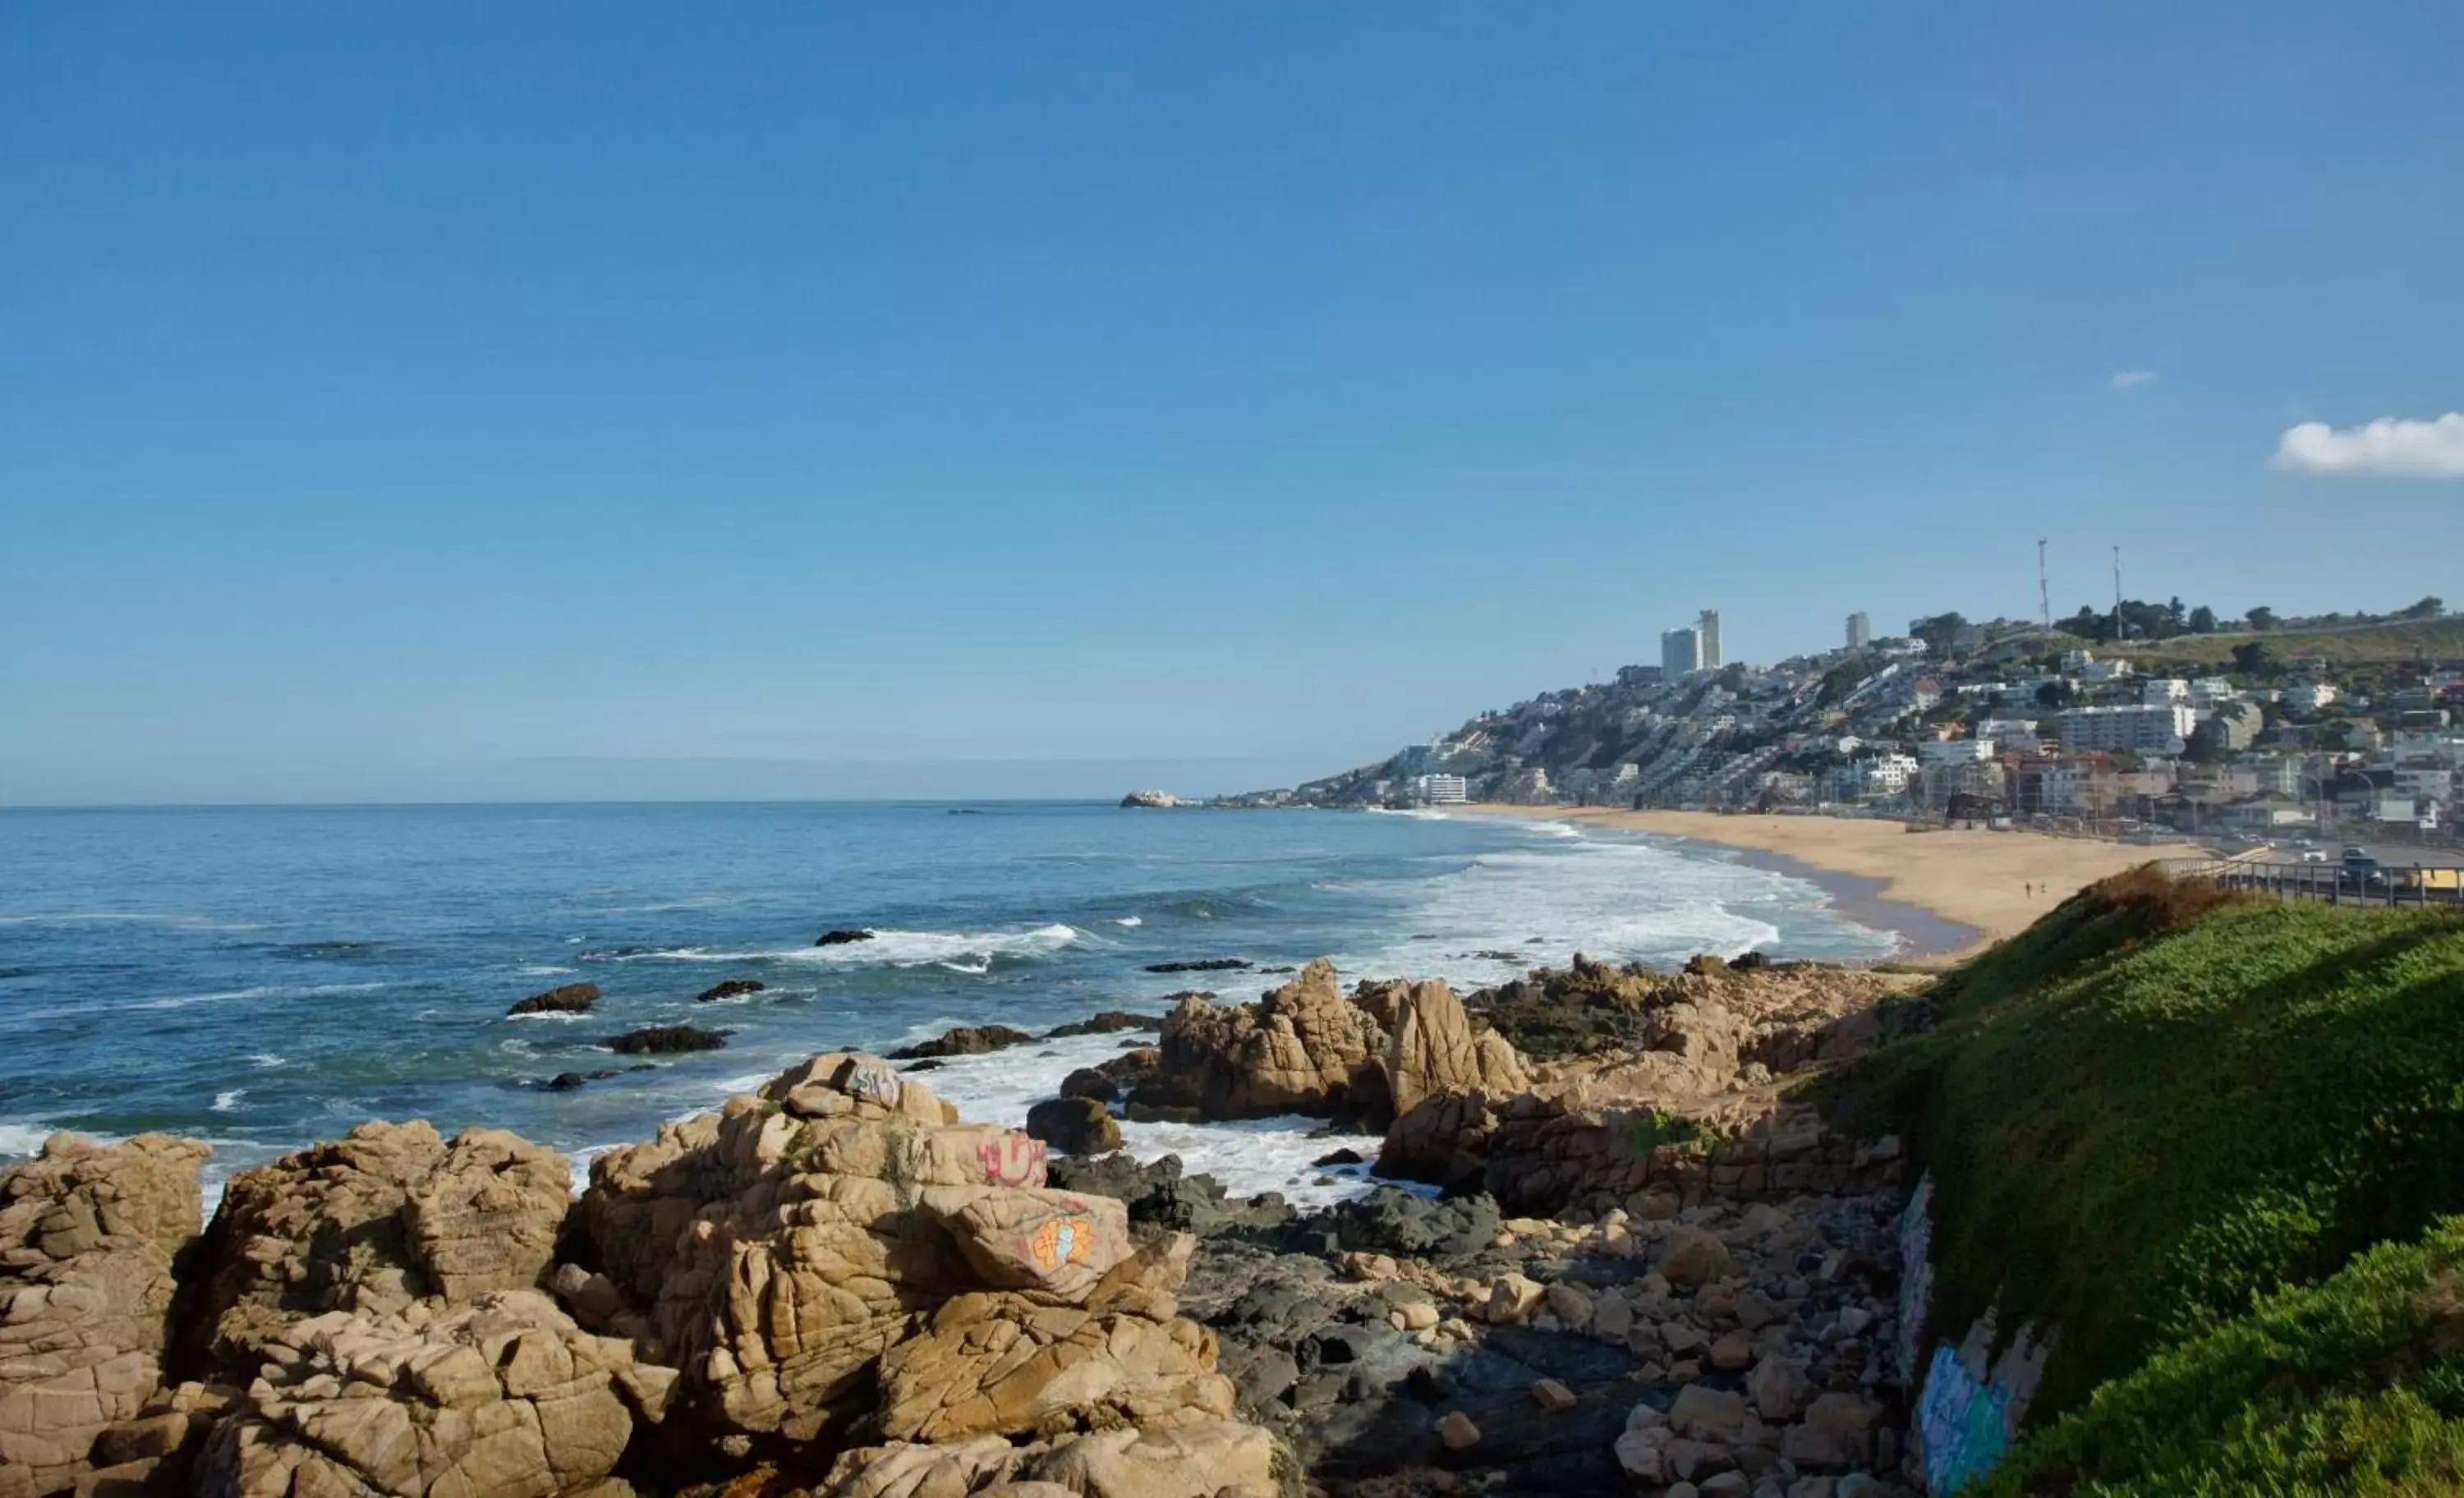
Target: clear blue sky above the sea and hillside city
<point>474,400</point>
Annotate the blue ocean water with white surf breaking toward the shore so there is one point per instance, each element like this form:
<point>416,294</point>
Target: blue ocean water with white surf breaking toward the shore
<point>267,977</point>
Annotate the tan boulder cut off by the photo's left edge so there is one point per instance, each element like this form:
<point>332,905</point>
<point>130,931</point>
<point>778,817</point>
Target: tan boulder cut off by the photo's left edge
<point>87,1245</point>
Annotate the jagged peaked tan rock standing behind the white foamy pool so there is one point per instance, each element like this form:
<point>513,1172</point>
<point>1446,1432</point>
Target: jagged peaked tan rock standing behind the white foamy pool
<point>1287,1053</point>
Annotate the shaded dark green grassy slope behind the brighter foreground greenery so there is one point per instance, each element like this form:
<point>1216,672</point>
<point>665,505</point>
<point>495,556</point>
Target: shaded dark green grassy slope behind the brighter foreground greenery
<point>2160,1107</point>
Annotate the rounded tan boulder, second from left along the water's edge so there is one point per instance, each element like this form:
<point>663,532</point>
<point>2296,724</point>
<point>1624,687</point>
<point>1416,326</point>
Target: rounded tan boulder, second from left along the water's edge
<point>378,1221</point>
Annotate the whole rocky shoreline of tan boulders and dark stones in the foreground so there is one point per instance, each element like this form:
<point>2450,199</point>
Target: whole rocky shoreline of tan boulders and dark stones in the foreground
<point>1623,1260</point>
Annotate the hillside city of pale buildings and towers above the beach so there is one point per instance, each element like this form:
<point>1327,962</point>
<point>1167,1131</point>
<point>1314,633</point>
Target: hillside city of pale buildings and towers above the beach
<point>2138,721</point>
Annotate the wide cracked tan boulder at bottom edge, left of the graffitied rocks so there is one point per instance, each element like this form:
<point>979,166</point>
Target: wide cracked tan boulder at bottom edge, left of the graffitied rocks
<point>504,1396</point>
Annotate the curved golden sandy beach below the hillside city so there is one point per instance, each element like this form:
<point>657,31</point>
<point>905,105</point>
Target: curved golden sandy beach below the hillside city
<point>1992,883</point>
